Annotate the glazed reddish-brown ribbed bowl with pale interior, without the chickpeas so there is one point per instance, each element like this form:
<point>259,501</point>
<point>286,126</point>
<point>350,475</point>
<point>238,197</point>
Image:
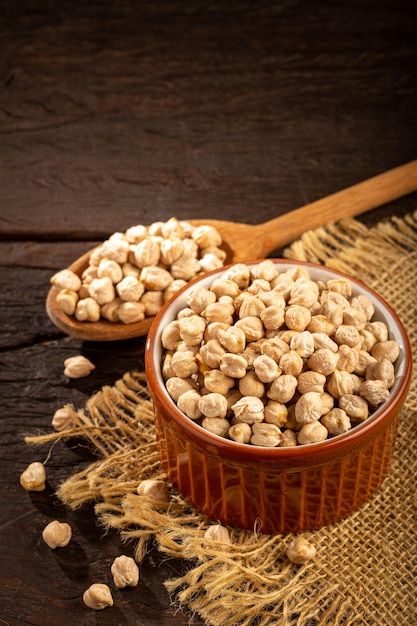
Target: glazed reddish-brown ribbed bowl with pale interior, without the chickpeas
<point>276,490</point>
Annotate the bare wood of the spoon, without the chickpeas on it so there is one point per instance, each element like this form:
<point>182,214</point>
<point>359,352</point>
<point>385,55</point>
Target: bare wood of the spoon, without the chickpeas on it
<point>244,242</point>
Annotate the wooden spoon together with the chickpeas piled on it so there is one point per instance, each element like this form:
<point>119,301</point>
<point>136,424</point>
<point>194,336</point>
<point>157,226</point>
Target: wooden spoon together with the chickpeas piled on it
<point>120,300</point>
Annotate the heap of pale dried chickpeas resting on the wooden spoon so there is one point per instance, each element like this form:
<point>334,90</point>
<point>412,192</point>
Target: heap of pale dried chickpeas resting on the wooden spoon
<point>132,274</point>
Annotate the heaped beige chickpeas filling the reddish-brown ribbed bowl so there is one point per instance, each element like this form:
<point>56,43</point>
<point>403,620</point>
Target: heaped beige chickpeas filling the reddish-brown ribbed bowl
<point>274,358</point>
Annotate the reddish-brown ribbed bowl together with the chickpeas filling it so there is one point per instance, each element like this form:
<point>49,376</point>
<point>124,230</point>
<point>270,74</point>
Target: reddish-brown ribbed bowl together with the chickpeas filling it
<point>277,387</point>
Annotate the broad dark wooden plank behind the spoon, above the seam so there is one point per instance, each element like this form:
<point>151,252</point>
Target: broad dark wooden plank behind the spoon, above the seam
<point>212,111</point>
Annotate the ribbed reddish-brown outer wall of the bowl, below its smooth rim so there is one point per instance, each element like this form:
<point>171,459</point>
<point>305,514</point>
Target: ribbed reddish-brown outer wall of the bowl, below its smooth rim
<point>250,494</point>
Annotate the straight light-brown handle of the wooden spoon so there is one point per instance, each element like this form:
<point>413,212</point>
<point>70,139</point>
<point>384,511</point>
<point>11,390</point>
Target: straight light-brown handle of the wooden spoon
<point>348,202</point>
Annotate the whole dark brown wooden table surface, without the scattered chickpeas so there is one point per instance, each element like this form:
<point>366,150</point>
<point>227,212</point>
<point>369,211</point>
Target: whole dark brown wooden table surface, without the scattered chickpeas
<point>119,113</point>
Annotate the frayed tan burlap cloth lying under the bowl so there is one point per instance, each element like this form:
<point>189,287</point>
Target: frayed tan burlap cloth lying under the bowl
<point>365,569</point>
